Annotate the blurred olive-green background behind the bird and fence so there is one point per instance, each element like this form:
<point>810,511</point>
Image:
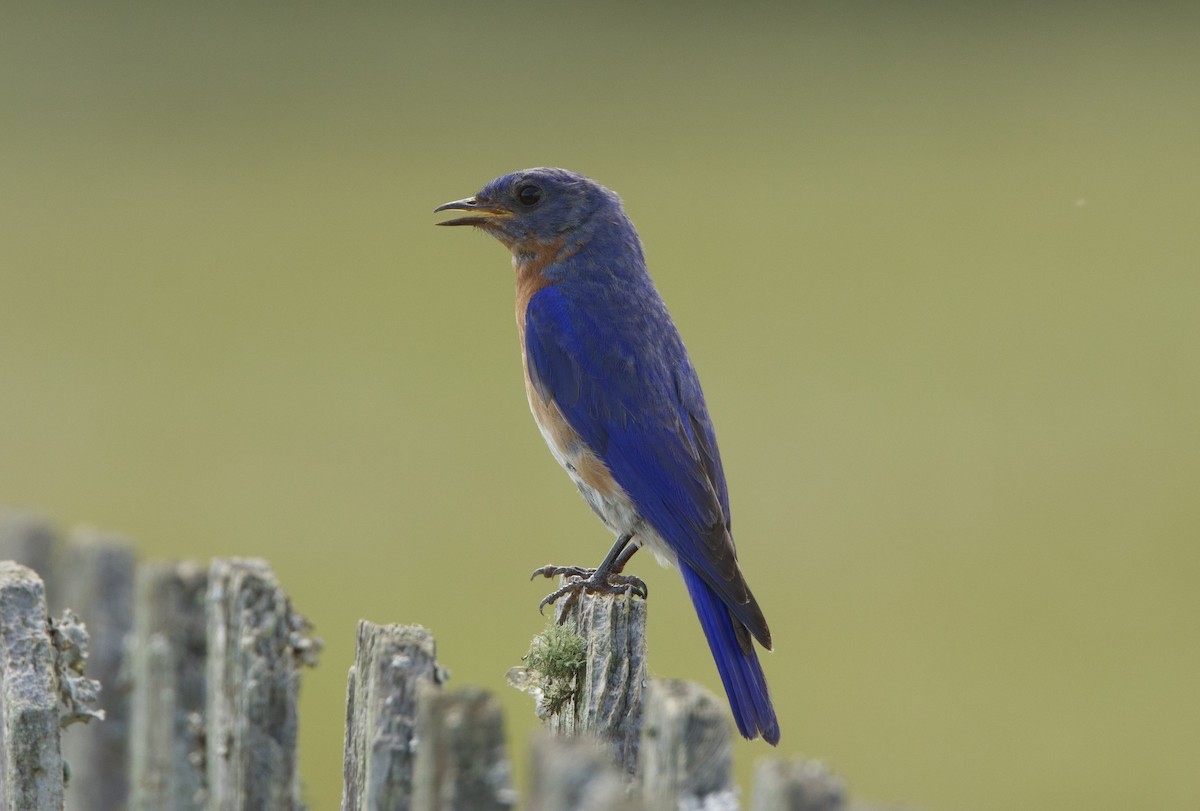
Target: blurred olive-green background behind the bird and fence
<point>939,267</point>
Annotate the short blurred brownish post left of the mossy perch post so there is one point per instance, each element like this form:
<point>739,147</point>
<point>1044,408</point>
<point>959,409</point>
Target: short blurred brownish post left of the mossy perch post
<point>461,760</point>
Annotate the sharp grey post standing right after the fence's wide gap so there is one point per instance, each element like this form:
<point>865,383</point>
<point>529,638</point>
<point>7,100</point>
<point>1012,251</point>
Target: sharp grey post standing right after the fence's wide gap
<point>392,663</point>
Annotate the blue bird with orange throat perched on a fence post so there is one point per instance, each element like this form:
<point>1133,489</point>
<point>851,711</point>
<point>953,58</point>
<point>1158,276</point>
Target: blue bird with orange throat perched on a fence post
<point>619,401</point>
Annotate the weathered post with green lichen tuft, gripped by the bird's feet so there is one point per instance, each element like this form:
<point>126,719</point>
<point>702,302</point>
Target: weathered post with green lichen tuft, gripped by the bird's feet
<point>589,675</point>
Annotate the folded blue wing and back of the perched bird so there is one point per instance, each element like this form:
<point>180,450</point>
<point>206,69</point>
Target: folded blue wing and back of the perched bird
<point>623,381</point>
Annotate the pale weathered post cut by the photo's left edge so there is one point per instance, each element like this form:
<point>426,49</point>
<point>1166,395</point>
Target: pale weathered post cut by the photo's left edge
<point>32,778</point>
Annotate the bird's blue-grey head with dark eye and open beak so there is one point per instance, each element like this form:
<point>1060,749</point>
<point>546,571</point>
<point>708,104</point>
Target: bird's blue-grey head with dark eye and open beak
<point>535,208</point>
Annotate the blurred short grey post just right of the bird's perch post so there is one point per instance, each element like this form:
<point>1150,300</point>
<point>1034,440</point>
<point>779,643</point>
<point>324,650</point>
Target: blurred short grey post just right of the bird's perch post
<point>687,754</point>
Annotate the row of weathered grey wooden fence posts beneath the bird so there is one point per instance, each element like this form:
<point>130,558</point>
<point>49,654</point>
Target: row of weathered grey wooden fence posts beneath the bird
<point>201,670</point>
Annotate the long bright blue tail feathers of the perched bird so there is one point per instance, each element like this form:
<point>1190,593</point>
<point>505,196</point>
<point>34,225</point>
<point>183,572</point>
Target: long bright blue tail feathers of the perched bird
<point>741,672</point>
